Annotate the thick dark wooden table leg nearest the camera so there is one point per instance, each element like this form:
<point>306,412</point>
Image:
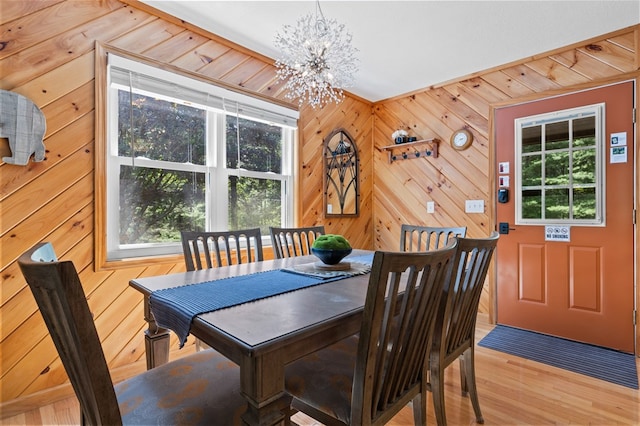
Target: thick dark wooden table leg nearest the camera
<point>262,384</point>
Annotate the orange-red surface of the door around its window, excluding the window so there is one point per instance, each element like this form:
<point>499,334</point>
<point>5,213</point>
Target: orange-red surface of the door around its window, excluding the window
<point>582,289</point>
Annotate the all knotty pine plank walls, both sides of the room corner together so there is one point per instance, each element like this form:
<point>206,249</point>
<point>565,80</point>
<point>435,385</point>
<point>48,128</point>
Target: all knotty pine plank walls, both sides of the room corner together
<point>47,53</point>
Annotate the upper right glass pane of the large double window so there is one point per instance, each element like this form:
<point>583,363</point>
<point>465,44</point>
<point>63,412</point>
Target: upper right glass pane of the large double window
<point>259,145</point>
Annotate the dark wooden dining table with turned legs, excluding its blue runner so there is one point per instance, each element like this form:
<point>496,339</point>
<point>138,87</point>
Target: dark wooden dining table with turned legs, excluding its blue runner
<point>264,335</point>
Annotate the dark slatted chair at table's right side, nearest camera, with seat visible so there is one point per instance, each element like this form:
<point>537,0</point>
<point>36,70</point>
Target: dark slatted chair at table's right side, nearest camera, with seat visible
<point>368,378</point>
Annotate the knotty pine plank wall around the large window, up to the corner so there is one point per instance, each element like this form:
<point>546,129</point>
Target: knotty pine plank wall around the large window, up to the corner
<point>48,54</point>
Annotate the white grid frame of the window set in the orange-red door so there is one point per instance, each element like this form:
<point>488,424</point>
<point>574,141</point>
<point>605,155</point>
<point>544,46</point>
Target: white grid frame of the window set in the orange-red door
<point>598,110</point>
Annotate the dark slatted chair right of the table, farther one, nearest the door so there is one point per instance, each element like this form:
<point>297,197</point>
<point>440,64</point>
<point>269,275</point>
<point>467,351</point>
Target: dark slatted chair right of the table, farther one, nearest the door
<point>454,335</point>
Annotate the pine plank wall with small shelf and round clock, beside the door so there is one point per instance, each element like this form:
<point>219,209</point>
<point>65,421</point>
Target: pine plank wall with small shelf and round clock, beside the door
<point>402,188</point>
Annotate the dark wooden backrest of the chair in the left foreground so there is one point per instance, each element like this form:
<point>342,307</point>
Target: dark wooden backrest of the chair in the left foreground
<point>58,292</point>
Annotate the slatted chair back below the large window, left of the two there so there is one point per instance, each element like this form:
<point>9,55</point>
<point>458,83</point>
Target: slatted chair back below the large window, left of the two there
<point>221,248</point>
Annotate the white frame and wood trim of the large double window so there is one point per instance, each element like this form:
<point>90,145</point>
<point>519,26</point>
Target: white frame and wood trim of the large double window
<point>108,164</point>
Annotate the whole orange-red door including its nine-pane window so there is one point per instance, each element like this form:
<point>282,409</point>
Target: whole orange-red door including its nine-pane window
<point>566,254</point>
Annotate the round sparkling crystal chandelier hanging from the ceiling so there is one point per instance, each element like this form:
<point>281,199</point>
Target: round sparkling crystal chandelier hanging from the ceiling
<point>318,59</point>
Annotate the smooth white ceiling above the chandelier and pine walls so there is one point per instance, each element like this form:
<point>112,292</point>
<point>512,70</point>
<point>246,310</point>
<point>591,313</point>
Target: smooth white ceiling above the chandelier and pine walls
<point>408,45</point>
